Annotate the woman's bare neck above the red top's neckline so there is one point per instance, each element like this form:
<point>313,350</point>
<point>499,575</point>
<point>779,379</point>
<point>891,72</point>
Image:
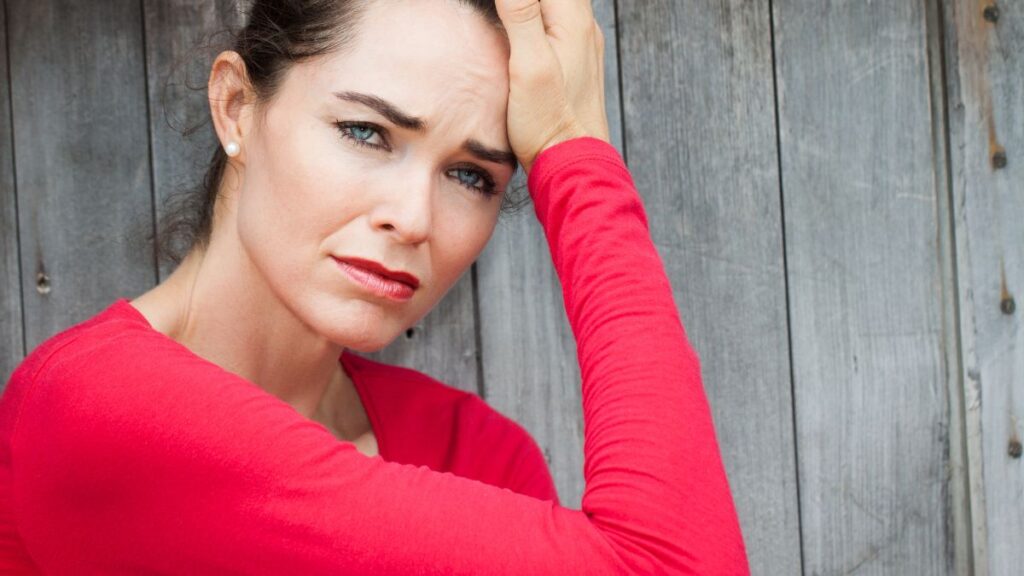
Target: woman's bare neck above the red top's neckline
<point>218,305</point>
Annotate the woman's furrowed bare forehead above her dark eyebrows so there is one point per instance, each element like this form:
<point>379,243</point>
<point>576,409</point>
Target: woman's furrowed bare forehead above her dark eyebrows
<point>432,58</point>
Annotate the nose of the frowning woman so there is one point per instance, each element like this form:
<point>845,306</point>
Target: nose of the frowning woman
<point>405,212</point>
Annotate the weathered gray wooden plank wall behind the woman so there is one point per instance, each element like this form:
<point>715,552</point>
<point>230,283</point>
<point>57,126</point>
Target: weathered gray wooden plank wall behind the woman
<point>837,189</point>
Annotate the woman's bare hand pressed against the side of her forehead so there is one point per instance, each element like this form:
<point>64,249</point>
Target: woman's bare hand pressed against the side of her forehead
<point>557,75</point>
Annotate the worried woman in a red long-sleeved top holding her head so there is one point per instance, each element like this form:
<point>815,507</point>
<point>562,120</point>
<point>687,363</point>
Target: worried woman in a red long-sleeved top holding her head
<point>208,427</point>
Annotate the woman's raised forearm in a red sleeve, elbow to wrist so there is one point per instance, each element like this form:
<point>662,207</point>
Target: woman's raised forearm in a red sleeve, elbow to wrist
<point>655,477</point>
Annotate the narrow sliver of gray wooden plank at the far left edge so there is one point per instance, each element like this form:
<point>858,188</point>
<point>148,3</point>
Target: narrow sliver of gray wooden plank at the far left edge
<point>12,344</point>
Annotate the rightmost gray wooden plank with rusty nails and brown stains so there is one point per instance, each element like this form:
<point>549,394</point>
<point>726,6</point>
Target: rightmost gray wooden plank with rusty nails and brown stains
<point>987,113</point>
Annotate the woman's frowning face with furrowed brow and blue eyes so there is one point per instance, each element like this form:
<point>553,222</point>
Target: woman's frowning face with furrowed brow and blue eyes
<point>328,176</point>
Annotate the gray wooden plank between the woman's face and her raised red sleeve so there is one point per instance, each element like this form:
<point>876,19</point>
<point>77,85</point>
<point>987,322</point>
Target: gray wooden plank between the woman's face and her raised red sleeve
<point>523,317</point>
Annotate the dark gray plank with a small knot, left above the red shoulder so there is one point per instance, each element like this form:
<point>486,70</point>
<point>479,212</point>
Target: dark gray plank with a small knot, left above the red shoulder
<point>78,94</point>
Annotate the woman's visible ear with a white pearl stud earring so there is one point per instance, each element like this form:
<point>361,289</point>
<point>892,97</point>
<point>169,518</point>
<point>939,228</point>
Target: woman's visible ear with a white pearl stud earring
<point>231,98</point>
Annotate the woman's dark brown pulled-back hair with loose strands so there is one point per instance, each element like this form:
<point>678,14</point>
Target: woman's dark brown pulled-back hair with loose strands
<point>278,34</point>
